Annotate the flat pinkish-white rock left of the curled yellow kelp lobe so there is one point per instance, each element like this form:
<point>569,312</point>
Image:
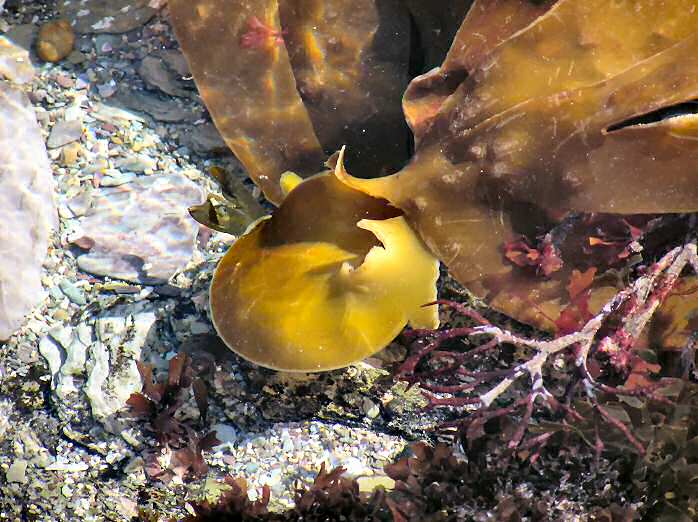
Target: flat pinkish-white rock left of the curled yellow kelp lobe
<point>141,230</point>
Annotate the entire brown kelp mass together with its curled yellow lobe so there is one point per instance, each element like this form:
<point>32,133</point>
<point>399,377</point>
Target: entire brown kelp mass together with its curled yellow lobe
<point>544,145</point>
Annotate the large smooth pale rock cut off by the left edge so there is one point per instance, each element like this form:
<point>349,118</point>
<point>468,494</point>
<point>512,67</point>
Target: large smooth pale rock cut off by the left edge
<point>27,210</point>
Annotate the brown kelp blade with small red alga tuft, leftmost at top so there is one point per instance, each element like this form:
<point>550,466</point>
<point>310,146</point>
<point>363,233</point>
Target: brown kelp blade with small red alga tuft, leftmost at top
<point>236,53</point>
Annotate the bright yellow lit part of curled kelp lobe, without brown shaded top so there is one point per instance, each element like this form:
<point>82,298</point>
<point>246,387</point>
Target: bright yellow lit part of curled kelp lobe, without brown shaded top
<point>306,307</point>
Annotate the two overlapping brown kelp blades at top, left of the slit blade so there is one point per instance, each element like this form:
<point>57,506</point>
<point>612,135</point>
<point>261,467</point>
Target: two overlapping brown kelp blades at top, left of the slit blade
<point>289,83</point>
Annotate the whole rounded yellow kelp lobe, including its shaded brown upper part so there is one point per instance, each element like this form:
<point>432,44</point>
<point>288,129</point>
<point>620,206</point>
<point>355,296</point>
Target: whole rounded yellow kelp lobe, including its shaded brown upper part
<point>332,277</point>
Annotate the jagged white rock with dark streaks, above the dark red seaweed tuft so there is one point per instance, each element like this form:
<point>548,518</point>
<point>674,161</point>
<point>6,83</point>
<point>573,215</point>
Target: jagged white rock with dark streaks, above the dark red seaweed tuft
<point>121,334</point>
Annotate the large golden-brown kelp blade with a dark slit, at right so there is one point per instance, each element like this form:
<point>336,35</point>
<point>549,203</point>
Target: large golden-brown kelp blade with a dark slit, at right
<point>533,132</point>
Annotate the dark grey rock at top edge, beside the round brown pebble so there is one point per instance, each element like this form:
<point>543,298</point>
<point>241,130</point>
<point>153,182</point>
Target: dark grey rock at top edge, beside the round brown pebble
<point>106,16</point>
